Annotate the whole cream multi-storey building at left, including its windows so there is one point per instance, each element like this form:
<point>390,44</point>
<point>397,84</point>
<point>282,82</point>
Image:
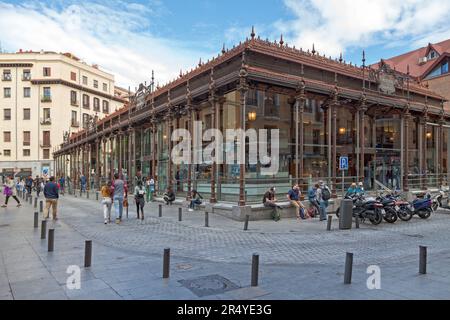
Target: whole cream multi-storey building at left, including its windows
<point>44,95</point>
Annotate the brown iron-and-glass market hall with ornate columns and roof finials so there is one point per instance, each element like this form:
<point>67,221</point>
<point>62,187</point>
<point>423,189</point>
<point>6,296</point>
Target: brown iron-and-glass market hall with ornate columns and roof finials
<point>394,131</point>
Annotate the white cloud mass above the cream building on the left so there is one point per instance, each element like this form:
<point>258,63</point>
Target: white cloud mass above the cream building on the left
<point>112,34</point>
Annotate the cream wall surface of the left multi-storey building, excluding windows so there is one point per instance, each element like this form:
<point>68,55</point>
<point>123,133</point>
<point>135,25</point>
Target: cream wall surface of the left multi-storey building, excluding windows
<point>60,105</point>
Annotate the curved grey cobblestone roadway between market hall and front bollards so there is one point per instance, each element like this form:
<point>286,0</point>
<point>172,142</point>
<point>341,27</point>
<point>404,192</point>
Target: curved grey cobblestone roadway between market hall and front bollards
<point>285,242</point>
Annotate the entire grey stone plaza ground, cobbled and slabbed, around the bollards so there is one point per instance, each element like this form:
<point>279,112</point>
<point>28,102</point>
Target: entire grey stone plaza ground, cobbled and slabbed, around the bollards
<point>298,260</point>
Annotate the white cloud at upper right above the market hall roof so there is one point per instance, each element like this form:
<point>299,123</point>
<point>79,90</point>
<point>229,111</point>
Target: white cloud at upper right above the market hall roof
<point>336,25</point>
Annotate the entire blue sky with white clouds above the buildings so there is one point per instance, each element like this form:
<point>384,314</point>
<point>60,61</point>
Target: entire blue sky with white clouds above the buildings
<point>131,38</point>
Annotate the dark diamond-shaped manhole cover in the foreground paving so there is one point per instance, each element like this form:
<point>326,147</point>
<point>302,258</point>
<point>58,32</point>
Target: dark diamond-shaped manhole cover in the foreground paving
<point>209,285</point>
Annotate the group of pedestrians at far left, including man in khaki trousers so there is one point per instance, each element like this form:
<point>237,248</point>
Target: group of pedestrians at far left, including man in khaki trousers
<point>49,187</point>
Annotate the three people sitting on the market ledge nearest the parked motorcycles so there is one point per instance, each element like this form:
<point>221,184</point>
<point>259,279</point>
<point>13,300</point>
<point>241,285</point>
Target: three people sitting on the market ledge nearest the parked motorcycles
<point>318,197</point>
